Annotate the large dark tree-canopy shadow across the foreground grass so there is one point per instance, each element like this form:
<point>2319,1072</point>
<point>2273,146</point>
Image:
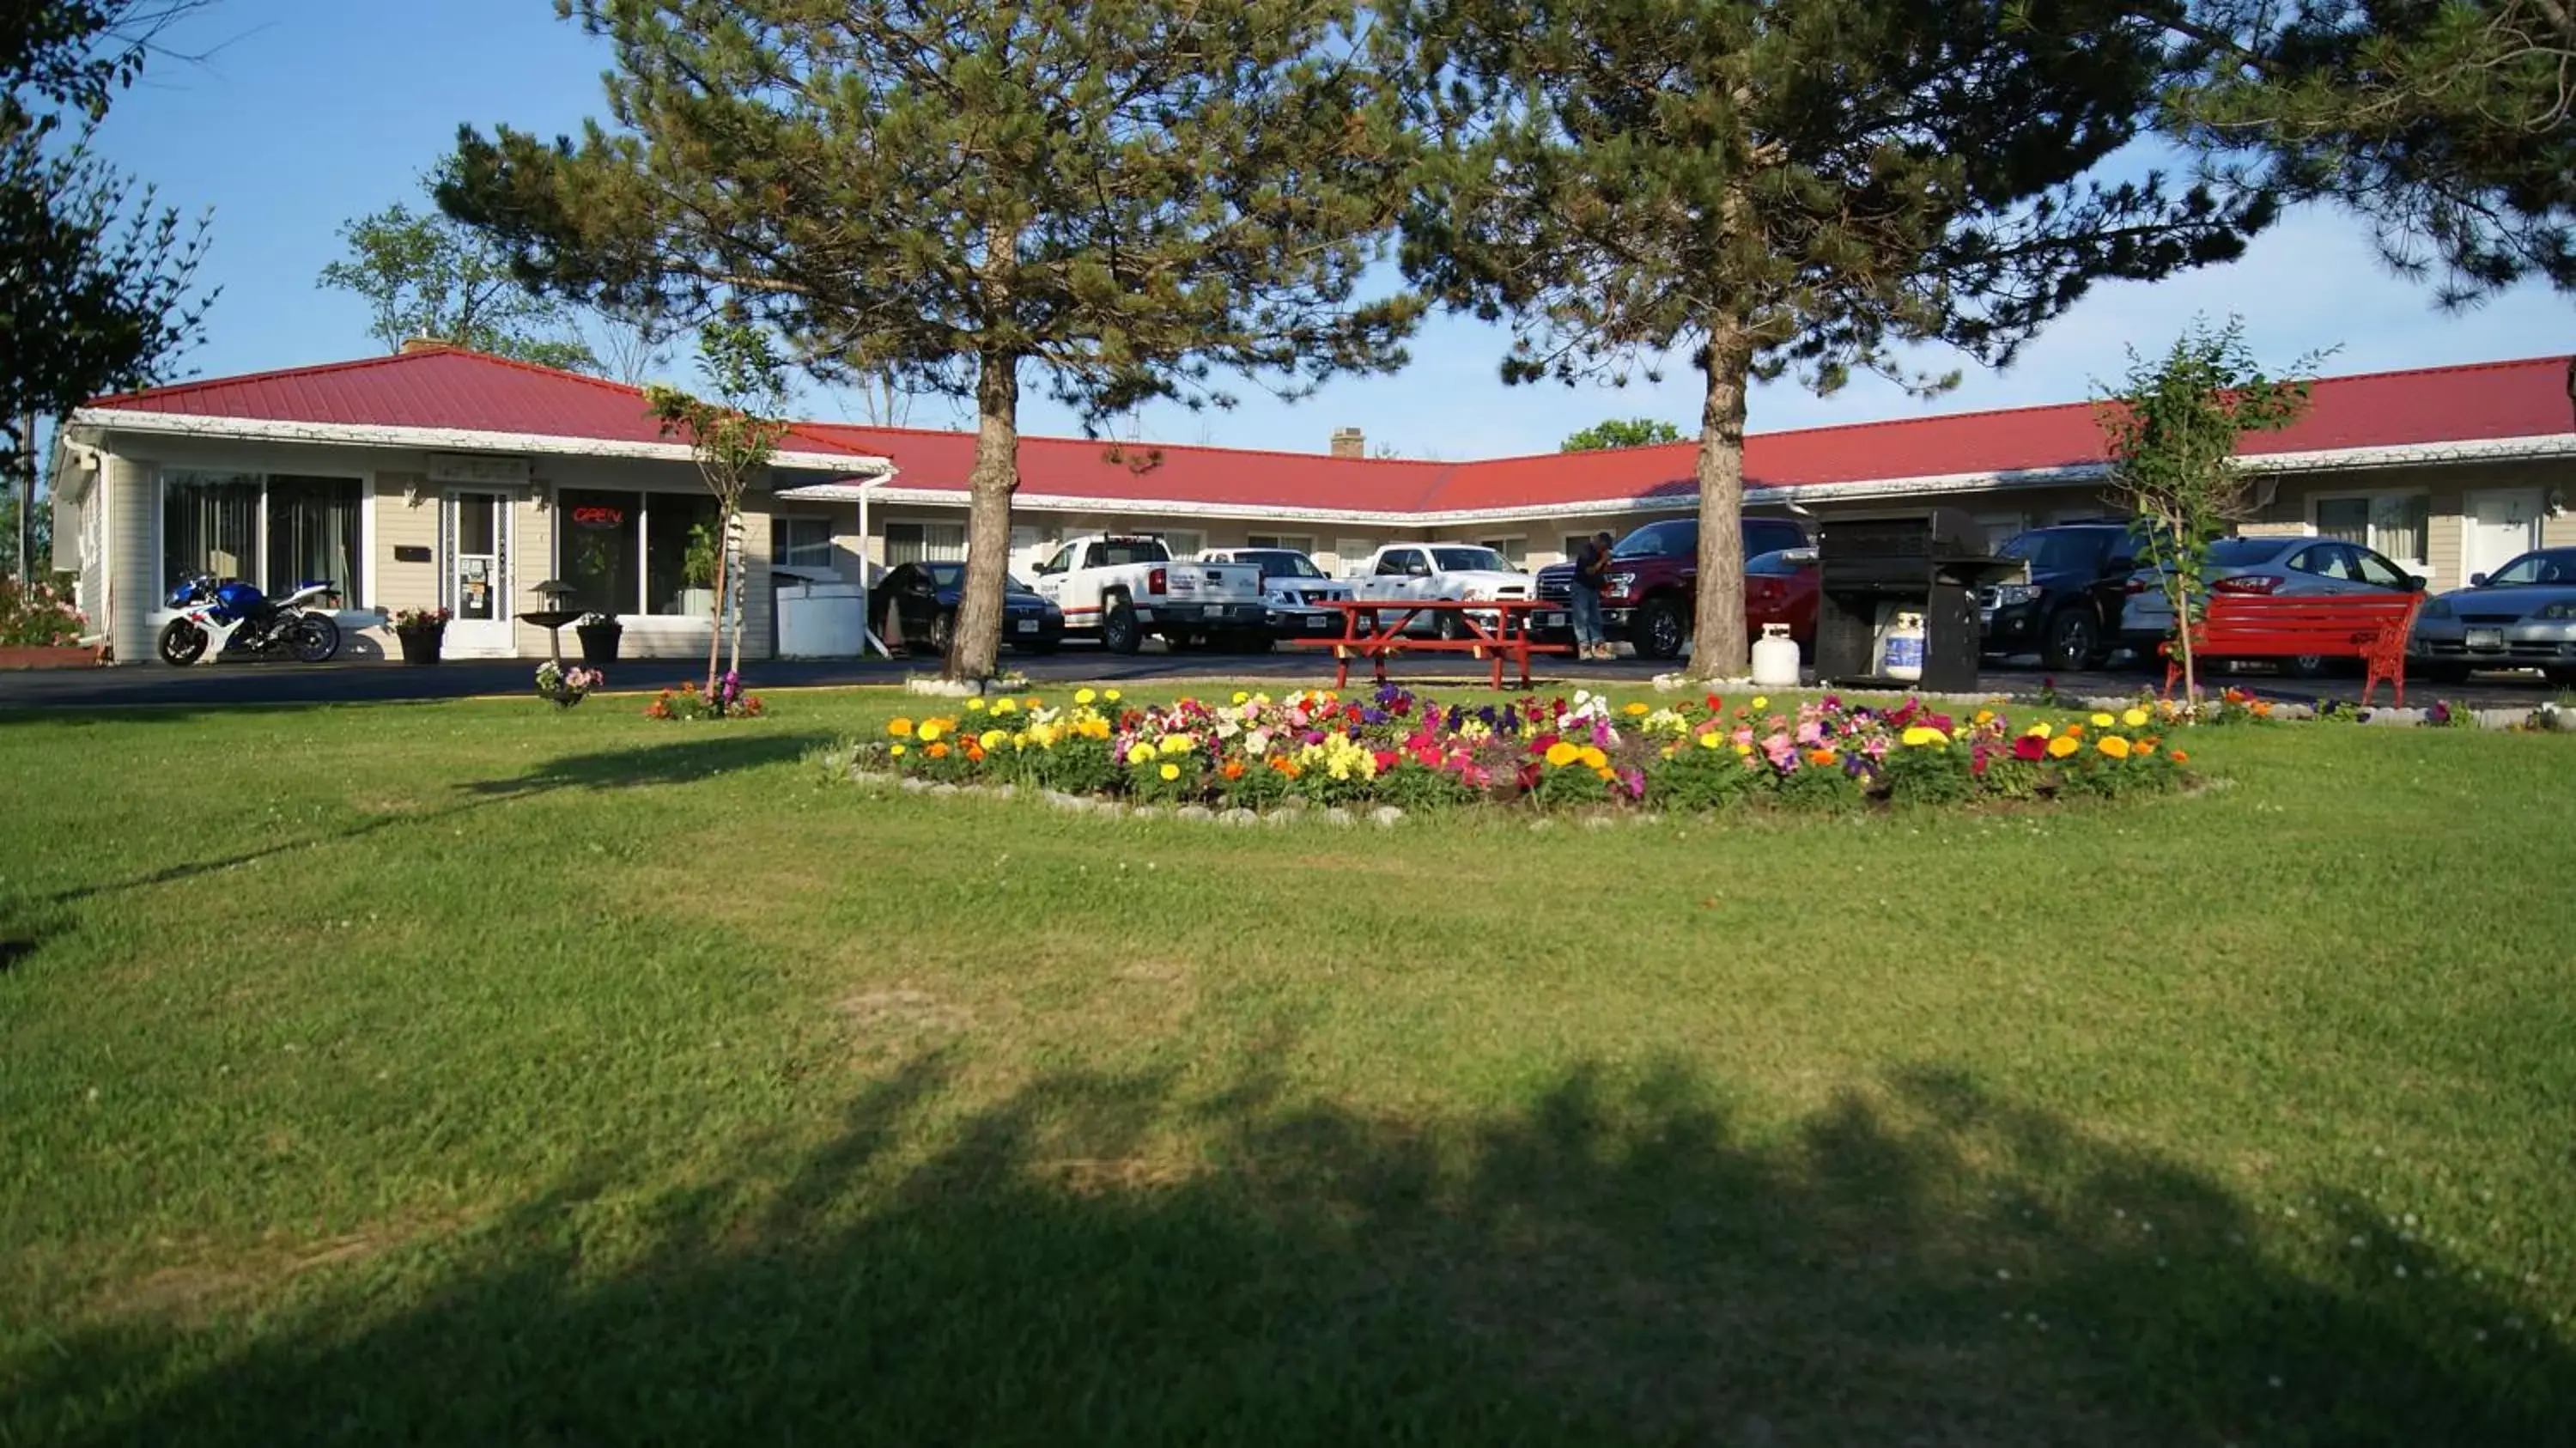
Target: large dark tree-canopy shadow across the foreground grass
<point>1619,1264</point>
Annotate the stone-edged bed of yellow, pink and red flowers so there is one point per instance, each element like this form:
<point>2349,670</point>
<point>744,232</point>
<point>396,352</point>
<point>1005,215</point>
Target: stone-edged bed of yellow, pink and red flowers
<point>1405,751</point>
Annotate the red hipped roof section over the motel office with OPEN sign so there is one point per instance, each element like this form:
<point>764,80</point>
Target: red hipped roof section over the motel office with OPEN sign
<point>429,388</point>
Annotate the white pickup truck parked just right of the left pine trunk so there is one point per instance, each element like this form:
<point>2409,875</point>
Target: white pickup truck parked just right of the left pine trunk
<point>1127,586</point>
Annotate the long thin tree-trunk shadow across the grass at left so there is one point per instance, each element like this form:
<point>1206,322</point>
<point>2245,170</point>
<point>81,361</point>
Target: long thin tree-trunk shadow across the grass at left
<point>645,767</point>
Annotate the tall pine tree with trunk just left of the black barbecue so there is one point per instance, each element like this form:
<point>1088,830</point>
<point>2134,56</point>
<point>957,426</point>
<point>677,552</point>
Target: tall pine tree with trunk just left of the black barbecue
<point>1784,189</point>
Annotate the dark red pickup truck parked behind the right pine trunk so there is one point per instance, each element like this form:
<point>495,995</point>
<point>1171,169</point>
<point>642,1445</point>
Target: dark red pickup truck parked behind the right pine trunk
<point>1653,586</point>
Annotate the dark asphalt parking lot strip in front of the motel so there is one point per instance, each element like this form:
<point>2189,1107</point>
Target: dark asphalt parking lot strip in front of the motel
<point>277,684</point>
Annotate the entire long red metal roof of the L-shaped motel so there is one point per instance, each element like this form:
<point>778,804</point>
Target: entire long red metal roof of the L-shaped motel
<point>452,388</point>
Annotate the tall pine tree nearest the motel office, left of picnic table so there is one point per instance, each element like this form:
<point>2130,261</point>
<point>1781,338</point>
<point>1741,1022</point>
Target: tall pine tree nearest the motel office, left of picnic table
<point>1124,197</point>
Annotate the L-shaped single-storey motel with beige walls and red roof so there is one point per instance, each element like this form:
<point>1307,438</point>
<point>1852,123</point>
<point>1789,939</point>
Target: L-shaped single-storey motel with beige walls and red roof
<point>452,478</point>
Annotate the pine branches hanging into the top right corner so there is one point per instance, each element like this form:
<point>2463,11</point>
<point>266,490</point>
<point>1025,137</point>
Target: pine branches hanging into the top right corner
<point>2448,125</point>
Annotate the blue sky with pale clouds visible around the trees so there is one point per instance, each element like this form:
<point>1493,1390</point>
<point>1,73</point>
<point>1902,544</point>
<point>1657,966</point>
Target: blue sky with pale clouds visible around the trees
<point>313,112</point>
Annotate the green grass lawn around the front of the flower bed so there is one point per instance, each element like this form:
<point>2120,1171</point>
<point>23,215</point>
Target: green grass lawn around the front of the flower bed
<point>483,1076</point>
